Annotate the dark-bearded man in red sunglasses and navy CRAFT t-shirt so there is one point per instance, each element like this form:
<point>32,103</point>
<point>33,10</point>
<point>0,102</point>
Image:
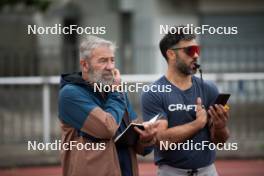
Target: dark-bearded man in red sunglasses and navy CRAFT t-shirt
<point>185,119</point>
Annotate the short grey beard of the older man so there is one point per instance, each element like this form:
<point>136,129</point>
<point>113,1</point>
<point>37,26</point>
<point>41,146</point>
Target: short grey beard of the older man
<point>97,77</point>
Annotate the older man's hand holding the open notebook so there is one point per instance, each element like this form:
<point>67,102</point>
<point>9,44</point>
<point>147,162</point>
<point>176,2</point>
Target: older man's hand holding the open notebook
<point>147,136</point>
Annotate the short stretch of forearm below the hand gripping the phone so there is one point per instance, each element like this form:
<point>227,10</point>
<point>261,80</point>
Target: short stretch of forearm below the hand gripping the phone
<point>219,135</point>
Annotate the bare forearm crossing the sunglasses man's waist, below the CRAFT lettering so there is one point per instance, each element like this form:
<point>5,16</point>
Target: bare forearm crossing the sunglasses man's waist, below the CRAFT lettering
<point>179,133</point>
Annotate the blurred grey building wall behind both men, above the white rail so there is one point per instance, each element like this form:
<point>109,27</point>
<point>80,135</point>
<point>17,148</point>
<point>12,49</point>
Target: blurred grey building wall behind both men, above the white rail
<point>134,25</point>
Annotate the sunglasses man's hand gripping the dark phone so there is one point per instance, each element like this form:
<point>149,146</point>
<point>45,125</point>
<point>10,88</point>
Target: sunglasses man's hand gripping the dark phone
<point>219,116</point>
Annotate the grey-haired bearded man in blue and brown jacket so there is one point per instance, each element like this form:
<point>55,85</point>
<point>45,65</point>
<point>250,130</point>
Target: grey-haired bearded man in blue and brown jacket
<point>91,119</point>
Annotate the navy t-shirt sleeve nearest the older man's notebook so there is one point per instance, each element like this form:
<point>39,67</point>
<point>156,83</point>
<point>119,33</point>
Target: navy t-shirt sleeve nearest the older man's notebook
<point>151,105</point>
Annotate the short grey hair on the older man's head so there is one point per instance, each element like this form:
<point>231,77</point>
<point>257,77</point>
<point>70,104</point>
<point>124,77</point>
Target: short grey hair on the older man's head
<point>91,42</point>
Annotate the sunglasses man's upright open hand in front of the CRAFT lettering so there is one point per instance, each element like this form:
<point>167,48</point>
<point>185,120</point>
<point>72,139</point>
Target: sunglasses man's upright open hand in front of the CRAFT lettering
<point>201,116</point>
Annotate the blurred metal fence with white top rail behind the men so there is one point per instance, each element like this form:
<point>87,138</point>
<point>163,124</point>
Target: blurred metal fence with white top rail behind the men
<point>28,109</point>
